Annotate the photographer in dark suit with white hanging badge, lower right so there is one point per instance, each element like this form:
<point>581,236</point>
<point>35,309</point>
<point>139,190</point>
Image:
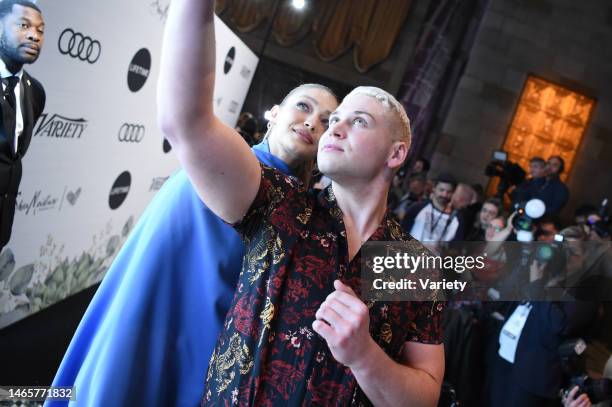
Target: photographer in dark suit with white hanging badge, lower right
<point>531,374</point>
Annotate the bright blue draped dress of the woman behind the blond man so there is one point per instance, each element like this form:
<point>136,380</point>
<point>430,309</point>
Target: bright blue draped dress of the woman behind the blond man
<point>149,331</point>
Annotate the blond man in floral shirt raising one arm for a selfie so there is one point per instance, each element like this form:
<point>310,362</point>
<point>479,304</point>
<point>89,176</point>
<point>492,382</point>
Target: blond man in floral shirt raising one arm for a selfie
<point>297,332</point>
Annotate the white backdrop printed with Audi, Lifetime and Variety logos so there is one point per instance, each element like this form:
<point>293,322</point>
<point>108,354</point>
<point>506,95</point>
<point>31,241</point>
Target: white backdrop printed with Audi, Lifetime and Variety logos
<point>97,157</point>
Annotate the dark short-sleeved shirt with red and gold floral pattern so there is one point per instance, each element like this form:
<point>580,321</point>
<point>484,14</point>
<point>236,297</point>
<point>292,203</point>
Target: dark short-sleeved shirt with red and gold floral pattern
<point>296,247</point>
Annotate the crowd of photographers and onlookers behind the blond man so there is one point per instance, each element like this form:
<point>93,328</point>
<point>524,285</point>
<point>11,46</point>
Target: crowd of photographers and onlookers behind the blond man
<point>440,208</point>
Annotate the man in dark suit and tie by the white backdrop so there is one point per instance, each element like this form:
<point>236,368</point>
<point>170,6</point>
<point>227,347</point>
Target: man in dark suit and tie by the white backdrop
<point>21,39</point>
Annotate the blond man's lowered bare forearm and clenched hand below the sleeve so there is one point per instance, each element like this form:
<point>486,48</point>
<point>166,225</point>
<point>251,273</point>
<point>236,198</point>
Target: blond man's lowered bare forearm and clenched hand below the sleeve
<point>343,320</point>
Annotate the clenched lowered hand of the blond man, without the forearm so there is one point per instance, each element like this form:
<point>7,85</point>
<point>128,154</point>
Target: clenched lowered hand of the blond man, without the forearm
<point>343,320</point>
